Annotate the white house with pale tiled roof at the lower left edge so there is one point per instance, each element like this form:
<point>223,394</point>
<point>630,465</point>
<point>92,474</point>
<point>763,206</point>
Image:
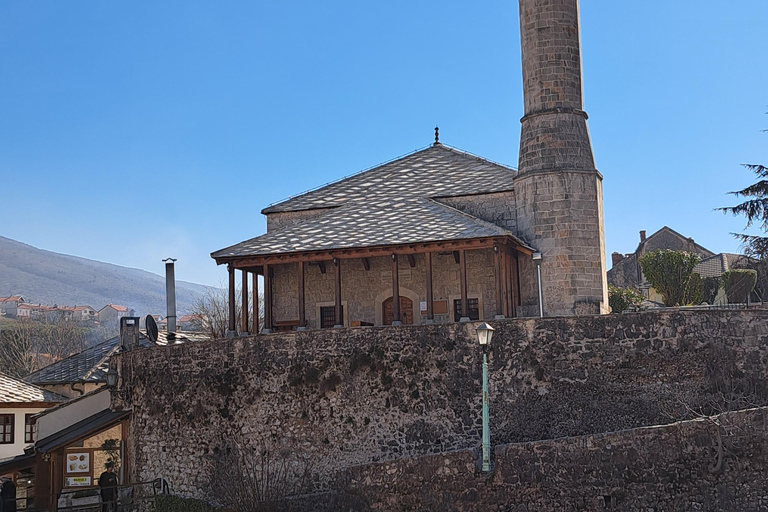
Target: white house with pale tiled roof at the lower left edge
<point>19,401</point>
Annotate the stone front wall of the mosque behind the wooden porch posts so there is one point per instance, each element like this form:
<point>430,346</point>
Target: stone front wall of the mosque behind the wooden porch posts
<point>364,291</point>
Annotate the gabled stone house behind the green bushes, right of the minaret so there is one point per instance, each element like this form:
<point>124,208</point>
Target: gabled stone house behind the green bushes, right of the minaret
<point>626,271</point>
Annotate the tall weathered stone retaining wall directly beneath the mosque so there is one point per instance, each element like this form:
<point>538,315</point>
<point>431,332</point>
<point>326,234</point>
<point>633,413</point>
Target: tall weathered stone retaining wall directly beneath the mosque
<point>346,397</point>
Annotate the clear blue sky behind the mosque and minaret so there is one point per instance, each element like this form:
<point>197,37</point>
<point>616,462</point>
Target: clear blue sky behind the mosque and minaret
<point>132,131</point>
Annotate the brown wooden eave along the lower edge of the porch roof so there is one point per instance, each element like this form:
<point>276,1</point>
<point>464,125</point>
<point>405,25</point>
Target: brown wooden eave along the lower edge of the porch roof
<point>251,262</point>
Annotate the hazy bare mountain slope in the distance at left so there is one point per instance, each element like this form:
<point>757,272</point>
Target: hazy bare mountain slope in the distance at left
<point>52,278</point>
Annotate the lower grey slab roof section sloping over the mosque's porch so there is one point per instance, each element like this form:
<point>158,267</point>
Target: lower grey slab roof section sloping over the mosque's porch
<point>375,223</point>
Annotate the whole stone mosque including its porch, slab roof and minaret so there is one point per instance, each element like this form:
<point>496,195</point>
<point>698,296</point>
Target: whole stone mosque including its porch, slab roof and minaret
<point>440,234</point>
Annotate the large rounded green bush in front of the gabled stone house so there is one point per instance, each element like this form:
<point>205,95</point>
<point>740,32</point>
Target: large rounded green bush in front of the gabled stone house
<point>671,274</point>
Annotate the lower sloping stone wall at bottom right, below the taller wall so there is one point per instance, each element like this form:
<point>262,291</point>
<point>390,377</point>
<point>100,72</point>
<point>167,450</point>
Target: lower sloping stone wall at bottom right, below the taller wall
<point>671,467</point>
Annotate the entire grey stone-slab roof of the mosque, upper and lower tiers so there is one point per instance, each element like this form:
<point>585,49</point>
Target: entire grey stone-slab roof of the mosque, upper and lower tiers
<point>388,205</point>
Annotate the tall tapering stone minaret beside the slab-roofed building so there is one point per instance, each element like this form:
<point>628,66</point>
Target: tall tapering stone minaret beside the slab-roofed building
<point>558,191</point>
